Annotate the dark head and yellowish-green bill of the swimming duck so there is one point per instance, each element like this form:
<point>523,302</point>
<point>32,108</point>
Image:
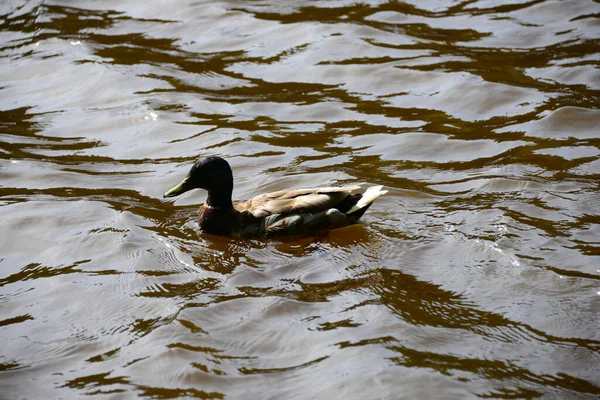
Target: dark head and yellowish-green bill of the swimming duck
<point>211,173</point>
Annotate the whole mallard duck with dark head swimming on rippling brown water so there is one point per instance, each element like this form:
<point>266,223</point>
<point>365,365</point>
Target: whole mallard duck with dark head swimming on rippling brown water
<point>282,213</point>
